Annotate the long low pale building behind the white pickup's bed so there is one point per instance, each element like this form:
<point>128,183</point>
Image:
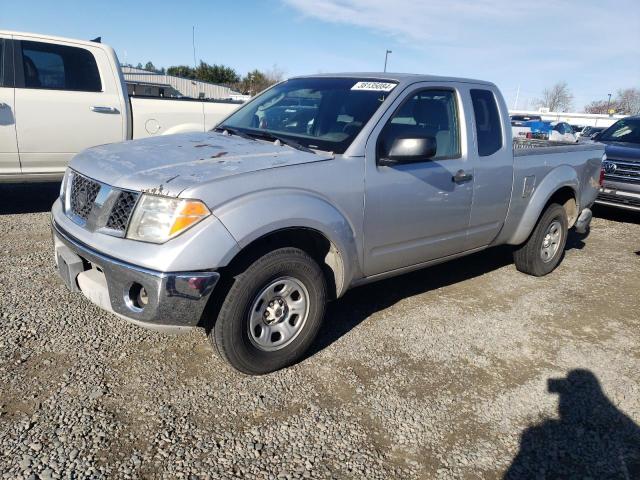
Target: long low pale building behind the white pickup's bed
<point>143,82</point>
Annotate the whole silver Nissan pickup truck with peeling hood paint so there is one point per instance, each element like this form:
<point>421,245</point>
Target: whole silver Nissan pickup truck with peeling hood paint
<point>315,186</point>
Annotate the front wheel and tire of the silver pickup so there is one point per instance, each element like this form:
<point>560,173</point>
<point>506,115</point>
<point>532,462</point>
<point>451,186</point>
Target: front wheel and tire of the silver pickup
<point>257,330</point>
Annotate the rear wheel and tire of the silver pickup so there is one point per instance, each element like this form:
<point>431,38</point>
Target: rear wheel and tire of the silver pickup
<point>544,249</point>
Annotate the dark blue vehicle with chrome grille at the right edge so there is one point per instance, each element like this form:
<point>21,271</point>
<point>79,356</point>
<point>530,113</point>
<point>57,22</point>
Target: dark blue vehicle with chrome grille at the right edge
<point>621,187</point>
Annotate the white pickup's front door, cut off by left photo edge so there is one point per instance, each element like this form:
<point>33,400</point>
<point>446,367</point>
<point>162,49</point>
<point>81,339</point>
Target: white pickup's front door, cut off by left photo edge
<point>9,161</point>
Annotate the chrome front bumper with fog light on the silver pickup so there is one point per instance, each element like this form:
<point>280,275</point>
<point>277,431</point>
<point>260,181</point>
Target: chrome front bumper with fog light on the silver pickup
<point>159,300</point>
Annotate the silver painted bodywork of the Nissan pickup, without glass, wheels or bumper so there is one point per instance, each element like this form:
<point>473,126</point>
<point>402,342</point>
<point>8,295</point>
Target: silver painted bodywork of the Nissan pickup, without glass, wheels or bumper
<point>381,220</point>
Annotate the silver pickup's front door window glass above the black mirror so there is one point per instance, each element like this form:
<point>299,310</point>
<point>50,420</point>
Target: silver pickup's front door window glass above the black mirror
<point>429,113</point>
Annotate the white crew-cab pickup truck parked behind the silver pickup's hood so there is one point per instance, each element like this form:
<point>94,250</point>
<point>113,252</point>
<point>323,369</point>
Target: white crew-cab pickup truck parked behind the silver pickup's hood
<point>60,96</point>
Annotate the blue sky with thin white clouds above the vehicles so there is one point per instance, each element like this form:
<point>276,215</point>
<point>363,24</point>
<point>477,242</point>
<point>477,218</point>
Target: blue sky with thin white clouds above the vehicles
<point>522,46</point>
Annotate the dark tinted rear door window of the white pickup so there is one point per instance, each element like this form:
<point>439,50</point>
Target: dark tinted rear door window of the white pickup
<point>59,67</point>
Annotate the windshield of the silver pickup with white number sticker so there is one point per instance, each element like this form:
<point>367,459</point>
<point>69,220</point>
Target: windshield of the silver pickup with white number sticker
<point>319,113</point>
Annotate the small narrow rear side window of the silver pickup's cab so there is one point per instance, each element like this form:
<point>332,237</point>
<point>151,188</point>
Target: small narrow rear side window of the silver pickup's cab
<point>488,124</point>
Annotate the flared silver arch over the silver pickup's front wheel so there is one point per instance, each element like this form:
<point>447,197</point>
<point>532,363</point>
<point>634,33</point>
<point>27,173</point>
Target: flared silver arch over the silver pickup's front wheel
<point>257,214</point>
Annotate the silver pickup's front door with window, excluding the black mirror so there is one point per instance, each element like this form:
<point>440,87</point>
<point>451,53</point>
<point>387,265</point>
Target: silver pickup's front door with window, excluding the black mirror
<point>417,212</point>
